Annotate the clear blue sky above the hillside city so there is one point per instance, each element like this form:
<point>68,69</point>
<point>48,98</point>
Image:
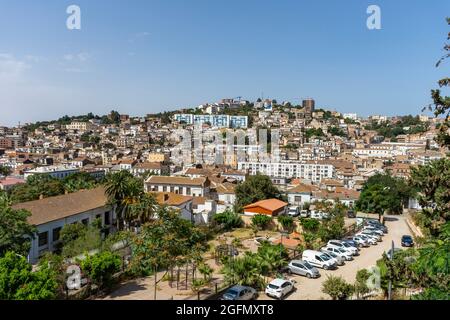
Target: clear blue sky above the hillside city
<point>144,56</point>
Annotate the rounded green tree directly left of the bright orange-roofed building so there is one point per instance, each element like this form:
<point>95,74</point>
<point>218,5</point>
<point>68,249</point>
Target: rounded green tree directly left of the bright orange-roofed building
<point>256,188</point>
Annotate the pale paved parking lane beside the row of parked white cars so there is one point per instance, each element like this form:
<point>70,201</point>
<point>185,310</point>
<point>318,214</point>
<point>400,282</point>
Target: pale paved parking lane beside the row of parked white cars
<point>311,289</point>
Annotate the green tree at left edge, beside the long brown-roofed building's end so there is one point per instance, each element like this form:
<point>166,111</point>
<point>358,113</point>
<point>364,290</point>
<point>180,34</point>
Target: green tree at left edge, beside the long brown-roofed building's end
<point>15,231</point>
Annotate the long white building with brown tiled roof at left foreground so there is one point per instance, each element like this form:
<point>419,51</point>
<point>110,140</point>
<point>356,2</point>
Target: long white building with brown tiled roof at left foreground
<point>49,215</point>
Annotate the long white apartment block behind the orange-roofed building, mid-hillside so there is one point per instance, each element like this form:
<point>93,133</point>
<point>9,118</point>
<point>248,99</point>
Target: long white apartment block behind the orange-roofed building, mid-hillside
<point>314,171</point>
